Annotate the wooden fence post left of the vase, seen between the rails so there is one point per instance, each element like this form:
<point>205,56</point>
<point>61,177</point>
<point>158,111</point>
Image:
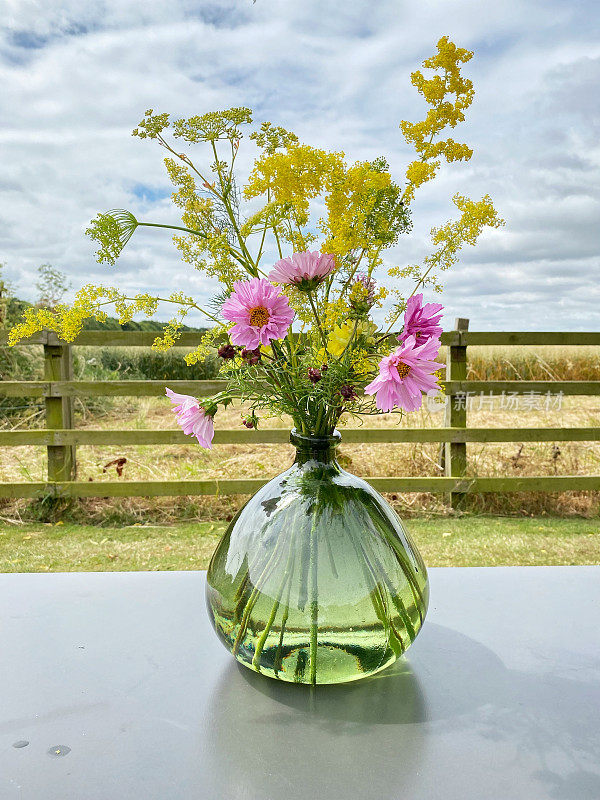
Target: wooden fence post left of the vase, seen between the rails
<point>58,366</point>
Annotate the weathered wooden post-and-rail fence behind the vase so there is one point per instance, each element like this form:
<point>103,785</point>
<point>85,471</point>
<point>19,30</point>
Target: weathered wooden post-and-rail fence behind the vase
<point>61,439</point>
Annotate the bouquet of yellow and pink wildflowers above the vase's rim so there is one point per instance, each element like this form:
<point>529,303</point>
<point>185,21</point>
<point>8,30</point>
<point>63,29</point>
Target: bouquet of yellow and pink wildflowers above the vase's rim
<point>297,256</point>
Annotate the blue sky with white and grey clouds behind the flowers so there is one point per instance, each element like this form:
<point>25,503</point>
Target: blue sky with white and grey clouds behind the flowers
<point>77,75</point>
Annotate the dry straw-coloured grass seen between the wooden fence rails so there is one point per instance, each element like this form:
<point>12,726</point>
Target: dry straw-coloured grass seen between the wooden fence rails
<point>263,461</point>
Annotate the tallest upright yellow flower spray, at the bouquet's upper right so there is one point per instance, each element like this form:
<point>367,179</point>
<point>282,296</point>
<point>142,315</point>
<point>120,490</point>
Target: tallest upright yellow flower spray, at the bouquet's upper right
<point>444,112</point>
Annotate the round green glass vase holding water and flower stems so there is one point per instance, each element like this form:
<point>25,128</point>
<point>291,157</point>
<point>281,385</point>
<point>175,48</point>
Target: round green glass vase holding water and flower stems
<point>315,580</point>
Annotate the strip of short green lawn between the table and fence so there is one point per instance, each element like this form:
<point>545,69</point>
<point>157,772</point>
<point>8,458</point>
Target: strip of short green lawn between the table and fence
<point>466,541</point>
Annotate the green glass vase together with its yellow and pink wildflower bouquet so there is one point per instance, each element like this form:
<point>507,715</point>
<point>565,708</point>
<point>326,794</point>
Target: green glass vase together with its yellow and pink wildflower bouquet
<point>315,580</point>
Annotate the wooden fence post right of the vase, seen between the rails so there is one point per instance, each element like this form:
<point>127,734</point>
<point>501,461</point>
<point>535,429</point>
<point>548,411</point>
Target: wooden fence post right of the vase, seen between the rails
<point>455,453</point>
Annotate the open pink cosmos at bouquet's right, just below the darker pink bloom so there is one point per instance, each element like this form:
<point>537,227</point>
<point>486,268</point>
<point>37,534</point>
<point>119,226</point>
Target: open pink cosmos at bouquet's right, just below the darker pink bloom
<point>405,375</point>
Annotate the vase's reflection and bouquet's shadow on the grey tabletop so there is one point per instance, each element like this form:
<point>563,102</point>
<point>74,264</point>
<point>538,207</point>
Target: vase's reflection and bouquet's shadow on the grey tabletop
<point>269,736</point>
